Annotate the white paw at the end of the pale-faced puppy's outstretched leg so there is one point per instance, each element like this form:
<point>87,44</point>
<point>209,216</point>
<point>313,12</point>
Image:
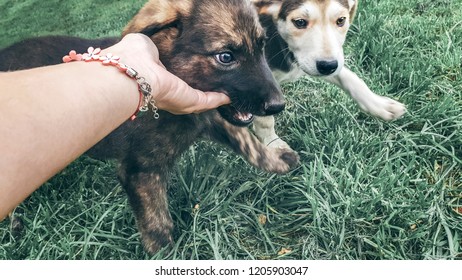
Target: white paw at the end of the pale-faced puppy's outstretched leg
<point>386,108</point>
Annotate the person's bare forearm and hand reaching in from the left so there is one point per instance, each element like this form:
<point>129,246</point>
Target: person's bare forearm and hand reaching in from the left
<point>49,116</point>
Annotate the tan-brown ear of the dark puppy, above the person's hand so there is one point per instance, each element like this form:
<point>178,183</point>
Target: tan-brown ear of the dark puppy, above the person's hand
<point>157,15</point>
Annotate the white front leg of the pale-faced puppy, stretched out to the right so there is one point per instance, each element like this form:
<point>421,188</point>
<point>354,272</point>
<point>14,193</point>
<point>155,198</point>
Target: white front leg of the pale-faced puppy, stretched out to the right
<point>376,105</point>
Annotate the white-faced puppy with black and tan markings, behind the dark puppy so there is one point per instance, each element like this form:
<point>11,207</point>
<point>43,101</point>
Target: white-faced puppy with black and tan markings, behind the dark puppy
<point>307,37</point>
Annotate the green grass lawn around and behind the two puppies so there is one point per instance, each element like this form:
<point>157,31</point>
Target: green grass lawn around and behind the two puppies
<point>366,189</point>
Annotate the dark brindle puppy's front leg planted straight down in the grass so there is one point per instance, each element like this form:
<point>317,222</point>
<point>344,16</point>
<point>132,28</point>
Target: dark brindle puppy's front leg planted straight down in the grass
<point>147,194</point>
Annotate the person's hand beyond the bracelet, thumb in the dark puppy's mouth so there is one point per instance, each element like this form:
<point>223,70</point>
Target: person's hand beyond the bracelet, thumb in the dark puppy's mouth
<point>170,92</point>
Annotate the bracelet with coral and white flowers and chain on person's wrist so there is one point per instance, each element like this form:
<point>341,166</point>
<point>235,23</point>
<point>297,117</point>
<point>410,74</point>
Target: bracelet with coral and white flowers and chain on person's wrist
<point>144,87</point>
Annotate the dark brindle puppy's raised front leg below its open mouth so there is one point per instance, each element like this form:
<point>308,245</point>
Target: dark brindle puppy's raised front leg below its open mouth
<point>278,160</point>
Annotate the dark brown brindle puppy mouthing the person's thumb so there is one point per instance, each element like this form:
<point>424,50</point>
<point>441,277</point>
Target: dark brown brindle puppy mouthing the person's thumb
<point>214,45</point>
